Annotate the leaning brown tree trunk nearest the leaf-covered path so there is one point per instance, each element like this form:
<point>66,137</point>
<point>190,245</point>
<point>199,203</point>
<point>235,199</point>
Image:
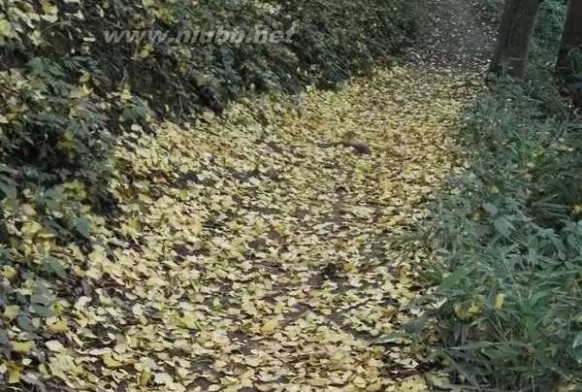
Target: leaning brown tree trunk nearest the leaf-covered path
<point>517,26</point>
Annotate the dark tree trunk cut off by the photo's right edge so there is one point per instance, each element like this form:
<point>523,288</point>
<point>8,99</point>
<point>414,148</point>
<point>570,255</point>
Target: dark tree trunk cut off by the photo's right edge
<point>571,39</point>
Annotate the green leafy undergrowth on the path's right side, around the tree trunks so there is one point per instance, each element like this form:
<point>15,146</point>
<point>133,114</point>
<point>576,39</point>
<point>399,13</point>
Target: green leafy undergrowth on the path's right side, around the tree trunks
<point>509,238</point>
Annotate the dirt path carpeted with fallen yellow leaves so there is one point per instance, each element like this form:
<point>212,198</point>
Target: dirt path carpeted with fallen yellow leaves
<point>256,252</point>
